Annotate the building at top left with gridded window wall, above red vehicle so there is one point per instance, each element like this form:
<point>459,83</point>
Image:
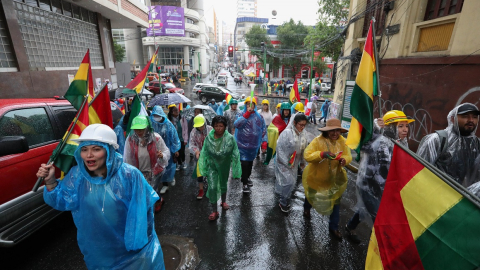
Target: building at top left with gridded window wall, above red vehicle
<point>43,42</point>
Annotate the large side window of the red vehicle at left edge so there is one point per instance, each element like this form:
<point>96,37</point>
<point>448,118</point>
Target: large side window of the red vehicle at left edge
<point>33,123</point>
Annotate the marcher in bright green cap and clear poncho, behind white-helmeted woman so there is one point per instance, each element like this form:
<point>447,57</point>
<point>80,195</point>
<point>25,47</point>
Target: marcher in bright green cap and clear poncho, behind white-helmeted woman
<point>146,151</point>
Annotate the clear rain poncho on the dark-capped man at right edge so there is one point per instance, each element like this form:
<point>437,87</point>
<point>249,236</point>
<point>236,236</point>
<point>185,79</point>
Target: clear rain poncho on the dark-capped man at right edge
<point>458,157</point>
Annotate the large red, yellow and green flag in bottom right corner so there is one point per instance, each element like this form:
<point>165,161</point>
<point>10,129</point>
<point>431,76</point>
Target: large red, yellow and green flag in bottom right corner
<point>422,222</point>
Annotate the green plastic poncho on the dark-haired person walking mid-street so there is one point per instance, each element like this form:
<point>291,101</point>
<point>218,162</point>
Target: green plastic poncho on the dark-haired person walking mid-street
<point>216,159</point>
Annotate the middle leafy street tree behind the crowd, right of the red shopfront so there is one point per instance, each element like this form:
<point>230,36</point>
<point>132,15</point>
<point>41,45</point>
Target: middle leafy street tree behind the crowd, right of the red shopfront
<point>291,36</point>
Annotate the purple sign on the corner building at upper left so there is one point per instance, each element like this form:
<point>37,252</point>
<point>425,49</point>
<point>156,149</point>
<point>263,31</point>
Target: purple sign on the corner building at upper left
<point>166,21</point>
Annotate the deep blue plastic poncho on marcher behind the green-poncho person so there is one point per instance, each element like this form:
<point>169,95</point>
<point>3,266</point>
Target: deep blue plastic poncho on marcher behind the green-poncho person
<point>249,134</point>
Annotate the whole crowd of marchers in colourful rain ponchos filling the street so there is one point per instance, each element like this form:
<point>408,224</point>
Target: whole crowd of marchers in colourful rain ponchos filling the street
<point>116,188</point>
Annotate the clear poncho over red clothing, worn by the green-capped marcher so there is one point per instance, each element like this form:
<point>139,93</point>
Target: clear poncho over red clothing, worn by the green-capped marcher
<point>153,142</point>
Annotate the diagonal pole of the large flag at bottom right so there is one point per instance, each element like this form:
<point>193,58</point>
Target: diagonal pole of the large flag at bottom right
<point>442,175</point>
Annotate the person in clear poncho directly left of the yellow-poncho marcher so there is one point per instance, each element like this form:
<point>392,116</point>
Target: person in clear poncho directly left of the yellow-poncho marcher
<point>290,146</point>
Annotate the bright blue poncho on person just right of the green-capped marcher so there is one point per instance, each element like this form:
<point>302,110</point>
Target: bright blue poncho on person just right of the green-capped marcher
<point>170,136</point>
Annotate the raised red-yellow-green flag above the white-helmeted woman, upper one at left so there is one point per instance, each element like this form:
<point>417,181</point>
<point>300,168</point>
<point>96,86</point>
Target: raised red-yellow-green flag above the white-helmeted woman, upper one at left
<point>82,81</point>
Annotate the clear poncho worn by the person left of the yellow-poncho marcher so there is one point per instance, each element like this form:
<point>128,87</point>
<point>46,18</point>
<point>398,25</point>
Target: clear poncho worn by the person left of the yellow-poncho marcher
<point>289,142</point>
